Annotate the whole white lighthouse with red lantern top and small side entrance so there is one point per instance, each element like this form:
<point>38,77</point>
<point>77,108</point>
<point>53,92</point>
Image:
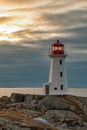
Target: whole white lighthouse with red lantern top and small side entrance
<point>57,84</point>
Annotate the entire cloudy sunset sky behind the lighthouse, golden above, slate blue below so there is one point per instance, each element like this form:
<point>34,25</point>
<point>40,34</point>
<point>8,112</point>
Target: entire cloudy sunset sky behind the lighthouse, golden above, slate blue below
<point>27,30</point>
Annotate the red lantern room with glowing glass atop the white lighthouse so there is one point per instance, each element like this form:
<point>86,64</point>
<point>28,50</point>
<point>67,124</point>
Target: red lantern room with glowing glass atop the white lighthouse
<point>57,48</point>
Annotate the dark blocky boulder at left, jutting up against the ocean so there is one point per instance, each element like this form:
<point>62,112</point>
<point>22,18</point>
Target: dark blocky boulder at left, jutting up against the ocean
<point>17,97</point>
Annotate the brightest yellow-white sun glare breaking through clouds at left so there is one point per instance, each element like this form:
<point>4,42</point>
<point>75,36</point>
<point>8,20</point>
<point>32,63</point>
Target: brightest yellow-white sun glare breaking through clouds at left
<point>20,23</point>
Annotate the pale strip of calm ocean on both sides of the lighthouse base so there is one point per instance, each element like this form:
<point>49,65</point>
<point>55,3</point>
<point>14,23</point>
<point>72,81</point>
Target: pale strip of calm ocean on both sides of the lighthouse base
<point>72,91</point>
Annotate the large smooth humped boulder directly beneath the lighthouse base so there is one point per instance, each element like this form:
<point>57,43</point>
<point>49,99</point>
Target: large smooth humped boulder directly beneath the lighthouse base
<point>56,103</point>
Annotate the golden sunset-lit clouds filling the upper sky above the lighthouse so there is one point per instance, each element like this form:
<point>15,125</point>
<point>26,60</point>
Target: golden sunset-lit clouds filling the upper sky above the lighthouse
<point>22,21</point>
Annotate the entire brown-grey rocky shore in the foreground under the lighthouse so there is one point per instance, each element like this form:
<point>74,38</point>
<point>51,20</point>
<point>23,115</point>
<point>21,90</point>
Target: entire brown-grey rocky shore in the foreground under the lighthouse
<point>38,112</point>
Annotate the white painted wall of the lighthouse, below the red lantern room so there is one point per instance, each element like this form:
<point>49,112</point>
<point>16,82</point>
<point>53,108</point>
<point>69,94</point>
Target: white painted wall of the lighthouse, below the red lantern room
<point>54,76</point>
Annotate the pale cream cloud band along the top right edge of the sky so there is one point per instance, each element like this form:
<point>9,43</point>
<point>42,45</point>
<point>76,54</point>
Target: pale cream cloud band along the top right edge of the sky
<point>61,6</point>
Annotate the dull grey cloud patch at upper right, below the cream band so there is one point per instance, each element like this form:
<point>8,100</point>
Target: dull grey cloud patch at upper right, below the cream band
<point>71,19</point>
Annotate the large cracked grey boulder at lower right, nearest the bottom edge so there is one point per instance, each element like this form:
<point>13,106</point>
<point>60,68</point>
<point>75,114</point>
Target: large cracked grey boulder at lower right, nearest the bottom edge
<point>60,117</point>
